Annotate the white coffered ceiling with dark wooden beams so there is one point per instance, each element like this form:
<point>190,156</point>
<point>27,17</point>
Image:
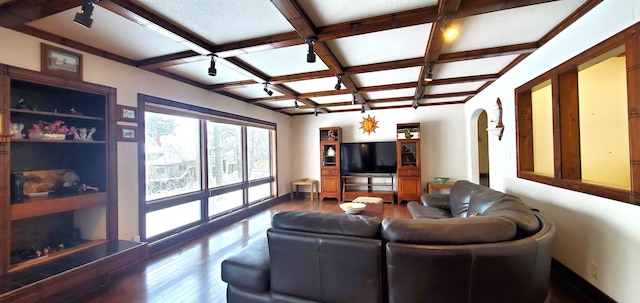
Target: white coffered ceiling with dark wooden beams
<point>380,49</point>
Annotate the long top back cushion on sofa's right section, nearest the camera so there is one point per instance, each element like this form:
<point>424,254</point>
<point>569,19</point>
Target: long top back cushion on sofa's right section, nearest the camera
<point>469,230</point>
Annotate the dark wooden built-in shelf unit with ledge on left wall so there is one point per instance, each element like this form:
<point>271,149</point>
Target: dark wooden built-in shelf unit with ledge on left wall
<point>59,203</point>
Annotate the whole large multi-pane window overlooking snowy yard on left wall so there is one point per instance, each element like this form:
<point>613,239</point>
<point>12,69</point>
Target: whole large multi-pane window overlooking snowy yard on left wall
<point>200,164</point>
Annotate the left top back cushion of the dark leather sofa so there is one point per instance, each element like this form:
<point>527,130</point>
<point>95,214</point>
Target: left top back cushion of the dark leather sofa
<point>328,223</point>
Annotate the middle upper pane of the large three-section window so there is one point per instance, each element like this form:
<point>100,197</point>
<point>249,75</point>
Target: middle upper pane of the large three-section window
<point>224,153</point>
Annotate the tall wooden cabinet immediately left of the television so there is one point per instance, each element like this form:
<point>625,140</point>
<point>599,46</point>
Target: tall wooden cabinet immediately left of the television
<point>330,138</point>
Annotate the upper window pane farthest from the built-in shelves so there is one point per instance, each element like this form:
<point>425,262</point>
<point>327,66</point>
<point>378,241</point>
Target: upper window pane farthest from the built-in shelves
<point>258,153</point>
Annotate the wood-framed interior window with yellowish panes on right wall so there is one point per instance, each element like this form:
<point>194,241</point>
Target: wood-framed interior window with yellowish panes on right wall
<point>577,124</point>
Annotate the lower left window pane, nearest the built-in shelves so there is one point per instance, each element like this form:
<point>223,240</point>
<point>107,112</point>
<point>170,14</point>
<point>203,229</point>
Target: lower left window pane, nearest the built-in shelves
<point>170,218</point>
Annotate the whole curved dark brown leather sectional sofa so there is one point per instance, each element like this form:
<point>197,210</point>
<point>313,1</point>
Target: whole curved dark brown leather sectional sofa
<point>472,245</point>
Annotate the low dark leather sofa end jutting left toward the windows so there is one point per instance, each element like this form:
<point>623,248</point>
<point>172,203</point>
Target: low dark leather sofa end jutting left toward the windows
<point>249,269</point>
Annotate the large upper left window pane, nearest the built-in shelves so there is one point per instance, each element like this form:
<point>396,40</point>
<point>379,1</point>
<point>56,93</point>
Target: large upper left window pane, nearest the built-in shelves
<point>172,155</point>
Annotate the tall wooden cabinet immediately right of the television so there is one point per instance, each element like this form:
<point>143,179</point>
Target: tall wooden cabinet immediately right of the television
<point>409,170</point>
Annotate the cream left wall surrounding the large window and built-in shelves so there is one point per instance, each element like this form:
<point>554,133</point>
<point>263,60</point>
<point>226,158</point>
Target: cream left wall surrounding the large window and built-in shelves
<point>24,52</point>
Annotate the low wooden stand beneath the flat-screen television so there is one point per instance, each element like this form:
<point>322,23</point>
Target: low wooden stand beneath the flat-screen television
<point>366,185</point>
